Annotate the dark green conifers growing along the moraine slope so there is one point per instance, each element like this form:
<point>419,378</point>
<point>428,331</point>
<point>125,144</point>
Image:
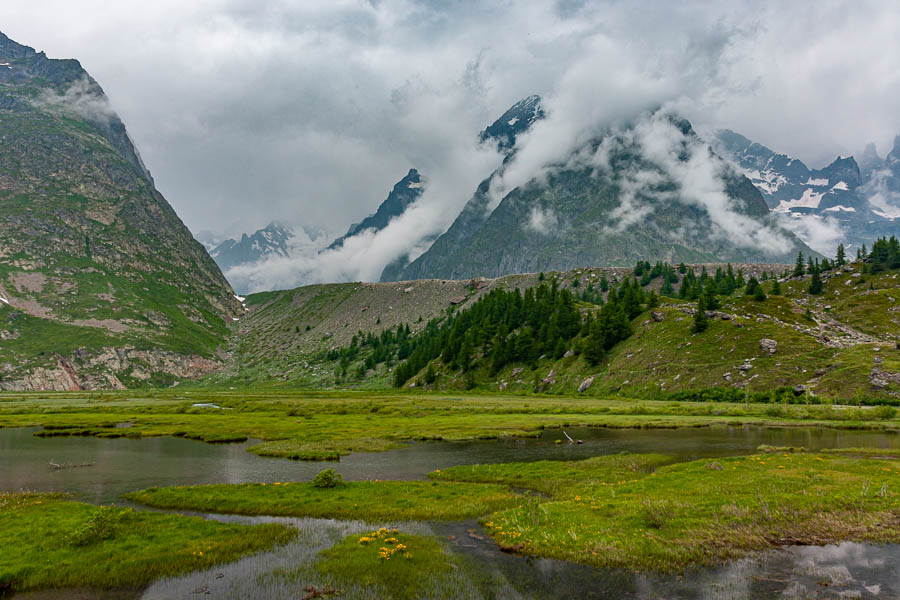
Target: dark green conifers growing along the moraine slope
<point>509,326</point>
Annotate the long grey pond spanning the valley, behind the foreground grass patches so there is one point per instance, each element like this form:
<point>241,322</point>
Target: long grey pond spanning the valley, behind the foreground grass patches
<point>121,465</point>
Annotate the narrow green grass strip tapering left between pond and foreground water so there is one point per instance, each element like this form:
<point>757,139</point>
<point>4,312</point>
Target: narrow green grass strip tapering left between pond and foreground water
<point>365,500</point>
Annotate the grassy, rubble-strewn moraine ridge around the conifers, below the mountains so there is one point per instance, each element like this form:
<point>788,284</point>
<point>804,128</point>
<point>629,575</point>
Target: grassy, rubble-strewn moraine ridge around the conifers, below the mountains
<point>842,344</point>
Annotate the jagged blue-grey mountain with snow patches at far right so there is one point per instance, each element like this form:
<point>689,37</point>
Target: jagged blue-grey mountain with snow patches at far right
<point>840,192</point>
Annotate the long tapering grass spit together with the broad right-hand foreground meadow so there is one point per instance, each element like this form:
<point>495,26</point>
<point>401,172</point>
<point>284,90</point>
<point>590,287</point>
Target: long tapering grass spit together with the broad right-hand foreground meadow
<point>631,511</point>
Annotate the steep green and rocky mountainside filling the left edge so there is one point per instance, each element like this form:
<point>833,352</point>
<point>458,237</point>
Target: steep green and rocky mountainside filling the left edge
<point>101,284</point>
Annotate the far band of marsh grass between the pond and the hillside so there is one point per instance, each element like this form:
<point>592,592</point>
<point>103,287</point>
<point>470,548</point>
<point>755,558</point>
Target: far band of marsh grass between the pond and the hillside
<point>324,426</point>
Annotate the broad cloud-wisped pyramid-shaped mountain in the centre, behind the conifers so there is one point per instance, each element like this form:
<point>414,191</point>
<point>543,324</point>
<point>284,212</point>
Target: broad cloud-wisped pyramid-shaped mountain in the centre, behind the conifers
<point>613,202</point>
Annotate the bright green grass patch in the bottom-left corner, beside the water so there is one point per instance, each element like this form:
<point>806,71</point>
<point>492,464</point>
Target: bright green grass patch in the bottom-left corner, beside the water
<point>48,542</point>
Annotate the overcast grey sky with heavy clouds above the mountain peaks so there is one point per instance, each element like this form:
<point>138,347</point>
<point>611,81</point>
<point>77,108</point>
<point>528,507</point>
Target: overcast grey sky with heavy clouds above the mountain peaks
<point>247,111</point>
